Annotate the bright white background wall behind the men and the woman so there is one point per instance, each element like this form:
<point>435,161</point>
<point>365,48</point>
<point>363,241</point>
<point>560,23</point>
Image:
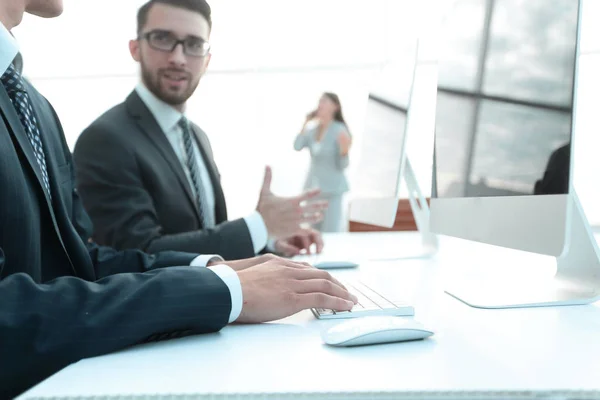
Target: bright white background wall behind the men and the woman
<point>271,60</point>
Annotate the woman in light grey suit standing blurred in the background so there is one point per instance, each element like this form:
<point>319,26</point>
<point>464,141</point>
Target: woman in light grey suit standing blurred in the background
<point>329,142</point>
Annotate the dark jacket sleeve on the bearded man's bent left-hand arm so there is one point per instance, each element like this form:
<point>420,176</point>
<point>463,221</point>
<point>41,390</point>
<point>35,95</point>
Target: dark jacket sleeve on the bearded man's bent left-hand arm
<point>123,212</point>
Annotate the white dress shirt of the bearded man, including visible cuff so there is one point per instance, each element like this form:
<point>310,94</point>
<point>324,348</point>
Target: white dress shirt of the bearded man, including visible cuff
<point>168,118</point>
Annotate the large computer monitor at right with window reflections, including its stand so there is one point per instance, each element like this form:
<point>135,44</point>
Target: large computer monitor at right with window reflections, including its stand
<point>504,128</point>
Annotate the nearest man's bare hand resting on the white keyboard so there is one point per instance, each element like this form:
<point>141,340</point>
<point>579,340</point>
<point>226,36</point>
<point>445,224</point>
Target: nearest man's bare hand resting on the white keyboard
<point>279,288</point>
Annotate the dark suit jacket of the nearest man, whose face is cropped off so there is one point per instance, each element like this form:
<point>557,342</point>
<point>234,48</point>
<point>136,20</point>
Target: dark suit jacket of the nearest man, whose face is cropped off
<point>62,298</point>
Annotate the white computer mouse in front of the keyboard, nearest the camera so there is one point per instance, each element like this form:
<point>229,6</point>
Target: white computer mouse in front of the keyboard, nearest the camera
<point>372,330</point>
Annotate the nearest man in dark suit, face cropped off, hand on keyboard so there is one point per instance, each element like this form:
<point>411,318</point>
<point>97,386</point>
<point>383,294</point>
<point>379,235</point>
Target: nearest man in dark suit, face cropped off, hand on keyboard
<point>63,298</point>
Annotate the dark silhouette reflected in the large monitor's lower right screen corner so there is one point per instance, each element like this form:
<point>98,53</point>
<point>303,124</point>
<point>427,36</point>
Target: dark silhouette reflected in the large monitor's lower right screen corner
<point>556,176</point>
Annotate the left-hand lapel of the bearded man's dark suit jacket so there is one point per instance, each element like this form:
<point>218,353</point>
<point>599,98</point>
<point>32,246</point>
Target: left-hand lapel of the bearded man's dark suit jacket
<point>150,127</point>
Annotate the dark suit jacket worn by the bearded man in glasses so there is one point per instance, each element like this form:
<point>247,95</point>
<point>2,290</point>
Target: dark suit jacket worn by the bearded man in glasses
<point>134,188</point>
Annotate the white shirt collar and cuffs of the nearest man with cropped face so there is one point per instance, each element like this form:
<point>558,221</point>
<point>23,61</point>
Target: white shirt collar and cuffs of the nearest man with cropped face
<point>9,49</point>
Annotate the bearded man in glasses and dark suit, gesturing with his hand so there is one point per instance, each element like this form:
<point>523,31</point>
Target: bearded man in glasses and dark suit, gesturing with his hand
<point>146,174</point>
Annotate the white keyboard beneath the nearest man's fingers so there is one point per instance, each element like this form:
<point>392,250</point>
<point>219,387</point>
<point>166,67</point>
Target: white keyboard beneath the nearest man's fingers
<point>369,303</point>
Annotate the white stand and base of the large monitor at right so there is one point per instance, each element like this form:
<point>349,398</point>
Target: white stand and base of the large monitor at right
<point>576,282</point>
